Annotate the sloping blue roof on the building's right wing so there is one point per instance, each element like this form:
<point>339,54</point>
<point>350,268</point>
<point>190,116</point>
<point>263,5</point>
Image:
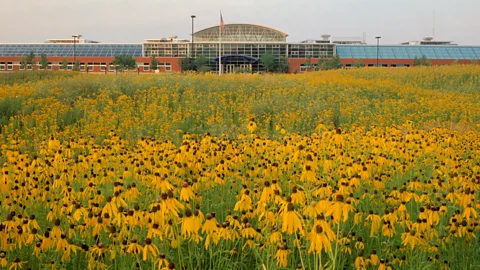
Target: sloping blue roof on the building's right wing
<point>408,52</point>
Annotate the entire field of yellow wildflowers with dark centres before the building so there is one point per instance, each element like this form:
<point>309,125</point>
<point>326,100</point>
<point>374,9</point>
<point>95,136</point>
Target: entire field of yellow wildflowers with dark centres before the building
<point>350,169</point>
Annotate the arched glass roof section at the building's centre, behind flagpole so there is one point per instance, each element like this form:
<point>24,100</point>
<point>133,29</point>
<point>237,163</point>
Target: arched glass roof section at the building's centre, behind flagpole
<point>241,32</point>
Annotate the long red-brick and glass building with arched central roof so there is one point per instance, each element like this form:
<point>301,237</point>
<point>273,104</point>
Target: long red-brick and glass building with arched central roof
<point>240,46</point>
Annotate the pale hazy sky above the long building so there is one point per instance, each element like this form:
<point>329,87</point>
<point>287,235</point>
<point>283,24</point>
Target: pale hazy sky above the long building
<point>132,21</point>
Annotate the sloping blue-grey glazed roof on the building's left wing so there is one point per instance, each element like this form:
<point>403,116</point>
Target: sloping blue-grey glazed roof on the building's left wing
<point>94,50</point>
